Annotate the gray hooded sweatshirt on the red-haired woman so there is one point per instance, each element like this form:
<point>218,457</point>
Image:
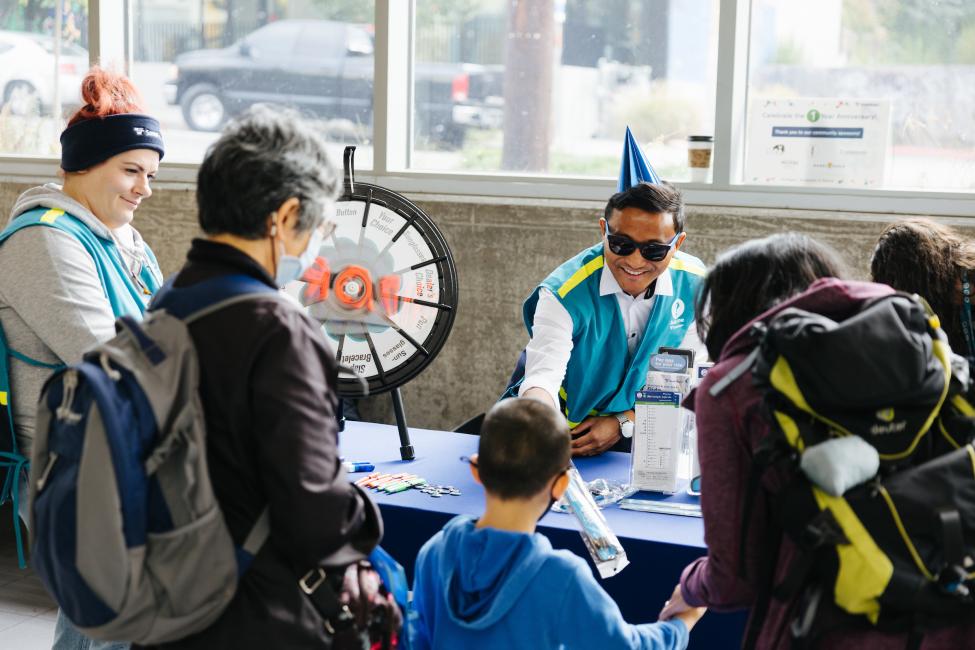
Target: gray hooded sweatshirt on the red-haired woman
<point>52,304</point>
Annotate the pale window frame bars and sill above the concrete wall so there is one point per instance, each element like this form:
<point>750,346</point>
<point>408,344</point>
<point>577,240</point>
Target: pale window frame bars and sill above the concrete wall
<point>392,145</point>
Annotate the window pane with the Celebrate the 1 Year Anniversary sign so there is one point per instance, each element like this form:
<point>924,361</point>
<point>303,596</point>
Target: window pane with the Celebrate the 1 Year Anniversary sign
<point>862,93</point>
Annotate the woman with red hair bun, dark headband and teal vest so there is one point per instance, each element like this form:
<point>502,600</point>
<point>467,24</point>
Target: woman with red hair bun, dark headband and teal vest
<point>70,264</point>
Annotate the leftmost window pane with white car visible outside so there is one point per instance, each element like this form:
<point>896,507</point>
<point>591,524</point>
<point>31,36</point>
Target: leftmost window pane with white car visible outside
<point>39,83</point>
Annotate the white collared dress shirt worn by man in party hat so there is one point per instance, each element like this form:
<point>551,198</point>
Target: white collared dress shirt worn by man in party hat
<point>550,347</point>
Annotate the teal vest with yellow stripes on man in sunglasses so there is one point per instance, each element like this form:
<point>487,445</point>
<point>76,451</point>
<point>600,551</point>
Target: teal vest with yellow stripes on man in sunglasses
<point>601,377</point>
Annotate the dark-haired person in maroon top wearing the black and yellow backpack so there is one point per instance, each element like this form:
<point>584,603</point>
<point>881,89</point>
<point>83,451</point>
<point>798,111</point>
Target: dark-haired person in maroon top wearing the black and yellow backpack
<point>747,558</point>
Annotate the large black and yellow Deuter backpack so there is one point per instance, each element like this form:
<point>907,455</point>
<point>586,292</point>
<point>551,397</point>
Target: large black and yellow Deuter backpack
<point>895,552</point>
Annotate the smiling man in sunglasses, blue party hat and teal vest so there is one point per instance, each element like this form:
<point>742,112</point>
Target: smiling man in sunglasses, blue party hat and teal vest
<point>597,318</point>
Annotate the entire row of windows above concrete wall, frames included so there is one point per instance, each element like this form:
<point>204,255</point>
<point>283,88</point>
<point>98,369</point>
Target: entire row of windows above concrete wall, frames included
<point>839,104</point>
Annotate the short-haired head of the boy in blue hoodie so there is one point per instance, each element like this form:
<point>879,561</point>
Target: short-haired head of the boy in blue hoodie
<point>524,448</point>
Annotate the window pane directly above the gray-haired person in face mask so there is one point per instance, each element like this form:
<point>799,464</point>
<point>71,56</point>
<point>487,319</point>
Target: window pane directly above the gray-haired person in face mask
<point>198,63</point>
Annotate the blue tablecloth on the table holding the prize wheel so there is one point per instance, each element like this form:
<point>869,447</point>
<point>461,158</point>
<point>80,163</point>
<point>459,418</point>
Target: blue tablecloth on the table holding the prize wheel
<point>658,546</point>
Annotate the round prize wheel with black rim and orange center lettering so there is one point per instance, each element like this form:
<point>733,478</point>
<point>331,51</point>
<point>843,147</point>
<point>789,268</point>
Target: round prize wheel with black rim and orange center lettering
<point>384,288</point>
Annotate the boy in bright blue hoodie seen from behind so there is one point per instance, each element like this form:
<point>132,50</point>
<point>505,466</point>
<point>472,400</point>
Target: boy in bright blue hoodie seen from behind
<point>494,582</point>
